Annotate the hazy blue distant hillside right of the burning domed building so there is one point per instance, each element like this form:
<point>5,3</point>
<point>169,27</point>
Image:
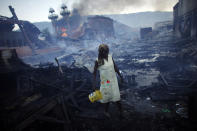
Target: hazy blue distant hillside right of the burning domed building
<point>142,19</point>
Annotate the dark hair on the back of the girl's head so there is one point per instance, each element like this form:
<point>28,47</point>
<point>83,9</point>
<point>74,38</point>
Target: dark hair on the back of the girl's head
<point>103,54</point>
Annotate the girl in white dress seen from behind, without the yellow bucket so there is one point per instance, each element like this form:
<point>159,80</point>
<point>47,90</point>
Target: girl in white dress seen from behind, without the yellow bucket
<point>108,79</point>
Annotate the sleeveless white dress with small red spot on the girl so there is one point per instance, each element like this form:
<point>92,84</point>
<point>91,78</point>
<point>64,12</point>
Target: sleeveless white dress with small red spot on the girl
<point>108,81</point>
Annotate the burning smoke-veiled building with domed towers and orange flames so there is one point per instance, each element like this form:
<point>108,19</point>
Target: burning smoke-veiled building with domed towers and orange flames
<point>74,26</point>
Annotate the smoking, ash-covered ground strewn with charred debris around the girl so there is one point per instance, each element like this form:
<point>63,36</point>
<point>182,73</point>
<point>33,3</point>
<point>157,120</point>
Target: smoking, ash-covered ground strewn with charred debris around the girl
<point>158,93</point>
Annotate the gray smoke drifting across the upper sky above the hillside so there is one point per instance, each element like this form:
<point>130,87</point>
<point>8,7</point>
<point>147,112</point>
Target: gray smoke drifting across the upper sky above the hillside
<point>88,7</point>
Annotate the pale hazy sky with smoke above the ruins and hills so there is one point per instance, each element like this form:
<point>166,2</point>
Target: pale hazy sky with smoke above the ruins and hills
<point>37,10</point>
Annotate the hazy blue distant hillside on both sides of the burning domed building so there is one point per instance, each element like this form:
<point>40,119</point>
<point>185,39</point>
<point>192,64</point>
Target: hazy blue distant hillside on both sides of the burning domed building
<point>133,20</point>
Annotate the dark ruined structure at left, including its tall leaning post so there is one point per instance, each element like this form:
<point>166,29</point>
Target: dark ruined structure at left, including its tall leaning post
<point>25,40</point>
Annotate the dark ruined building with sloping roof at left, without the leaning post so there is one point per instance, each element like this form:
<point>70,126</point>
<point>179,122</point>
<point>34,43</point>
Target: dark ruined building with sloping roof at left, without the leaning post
<point>15,39</point>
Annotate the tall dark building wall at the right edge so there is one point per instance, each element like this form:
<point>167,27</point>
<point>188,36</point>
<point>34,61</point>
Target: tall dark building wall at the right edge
<point>185,18</point>
